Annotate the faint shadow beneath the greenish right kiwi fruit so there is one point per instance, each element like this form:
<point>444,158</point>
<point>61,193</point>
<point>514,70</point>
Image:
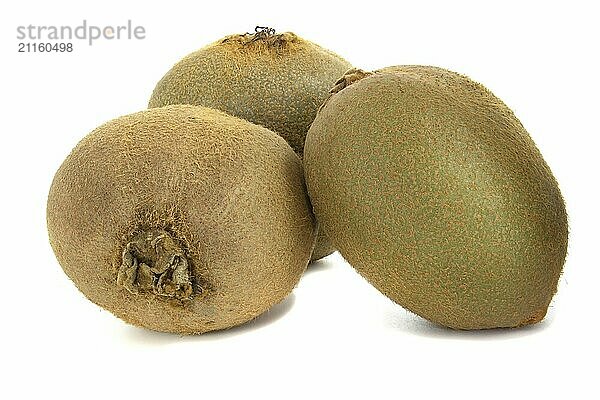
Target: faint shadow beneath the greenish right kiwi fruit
<point>407,322</point>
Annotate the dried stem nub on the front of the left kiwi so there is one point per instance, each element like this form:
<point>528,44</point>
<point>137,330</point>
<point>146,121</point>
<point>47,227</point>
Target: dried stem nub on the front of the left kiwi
<point>153,262</point>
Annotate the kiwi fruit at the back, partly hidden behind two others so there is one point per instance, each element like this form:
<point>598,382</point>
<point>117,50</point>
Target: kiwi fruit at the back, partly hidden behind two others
<point>274,80</point>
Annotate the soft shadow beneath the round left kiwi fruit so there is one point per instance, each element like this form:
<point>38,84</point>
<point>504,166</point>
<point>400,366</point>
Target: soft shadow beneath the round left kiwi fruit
<point>148,337</point>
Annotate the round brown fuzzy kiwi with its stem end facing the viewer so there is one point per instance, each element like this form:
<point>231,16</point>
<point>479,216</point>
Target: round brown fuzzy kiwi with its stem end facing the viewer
<point>182,219</point>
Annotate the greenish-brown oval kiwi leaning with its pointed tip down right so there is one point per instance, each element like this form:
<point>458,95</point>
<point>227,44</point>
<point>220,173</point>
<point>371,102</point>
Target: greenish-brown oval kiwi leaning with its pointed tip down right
<point>433,191</point>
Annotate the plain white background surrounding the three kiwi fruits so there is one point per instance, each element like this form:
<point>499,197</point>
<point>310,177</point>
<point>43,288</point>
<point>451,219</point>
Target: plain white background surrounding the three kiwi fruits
<point>335,336</point>
